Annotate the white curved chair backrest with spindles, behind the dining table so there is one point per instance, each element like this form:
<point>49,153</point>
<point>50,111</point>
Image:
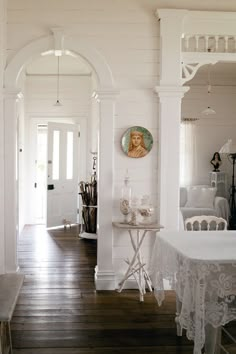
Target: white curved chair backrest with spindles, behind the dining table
<point>205,222</point>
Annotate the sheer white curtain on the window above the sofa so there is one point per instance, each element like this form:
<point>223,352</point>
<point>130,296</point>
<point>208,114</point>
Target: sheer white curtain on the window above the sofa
<point>187,152</point>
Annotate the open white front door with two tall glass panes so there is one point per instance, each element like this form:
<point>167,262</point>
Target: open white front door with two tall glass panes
<point>62,181</point>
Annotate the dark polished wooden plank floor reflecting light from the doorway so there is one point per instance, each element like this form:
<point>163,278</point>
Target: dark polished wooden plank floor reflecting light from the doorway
<point>60,312</point>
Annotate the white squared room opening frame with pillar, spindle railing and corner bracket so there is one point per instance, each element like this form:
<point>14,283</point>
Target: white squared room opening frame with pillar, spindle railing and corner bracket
<point>197,38</point>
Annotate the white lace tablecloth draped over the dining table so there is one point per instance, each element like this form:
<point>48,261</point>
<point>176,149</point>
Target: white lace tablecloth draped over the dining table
<point>201,268</point>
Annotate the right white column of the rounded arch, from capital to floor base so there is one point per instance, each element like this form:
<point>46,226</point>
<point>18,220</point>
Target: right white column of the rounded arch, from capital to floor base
<point>105,276</point>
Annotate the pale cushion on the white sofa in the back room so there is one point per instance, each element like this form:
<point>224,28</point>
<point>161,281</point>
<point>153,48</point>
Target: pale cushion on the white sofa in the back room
<point>201,197</point>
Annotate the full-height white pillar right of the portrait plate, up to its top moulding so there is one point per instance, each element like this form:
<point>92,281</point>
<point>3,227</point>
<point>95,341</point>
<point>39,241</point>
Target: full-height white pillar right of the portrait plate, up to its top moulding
<point>170,93</point>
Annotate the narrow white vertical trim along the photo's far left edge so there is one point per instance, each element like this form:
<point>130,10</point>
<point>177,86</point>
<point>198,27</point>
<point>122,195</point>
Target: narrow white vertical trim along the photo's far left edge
<point>3,19</point>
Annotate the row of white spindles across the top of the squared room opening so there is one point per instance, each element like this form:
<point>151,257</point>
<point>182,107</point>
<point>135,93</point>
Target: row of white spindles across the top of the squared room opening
<point>209,43</point>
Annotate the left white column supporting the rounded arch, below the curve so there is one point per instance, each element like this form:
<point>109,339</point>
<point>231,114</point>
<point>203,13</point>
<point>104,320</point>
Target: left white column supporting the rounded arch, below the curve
<point>10,163</point>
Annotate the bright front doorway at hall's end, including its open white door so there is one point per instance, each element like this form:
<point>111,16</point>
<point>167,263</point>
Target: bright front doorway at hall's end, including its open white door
<point>55,173</point>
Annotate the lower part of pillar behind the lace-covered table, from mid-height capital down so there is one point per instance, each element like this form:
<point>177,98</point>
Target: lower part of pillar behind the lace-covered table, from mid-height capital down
<point>169,153</point>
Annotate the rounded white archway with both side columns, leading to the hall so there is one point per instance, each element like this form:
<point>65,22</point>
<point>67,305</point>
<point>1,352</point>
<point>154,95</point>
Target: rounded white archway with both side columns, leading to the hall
<point>106,93</point>
